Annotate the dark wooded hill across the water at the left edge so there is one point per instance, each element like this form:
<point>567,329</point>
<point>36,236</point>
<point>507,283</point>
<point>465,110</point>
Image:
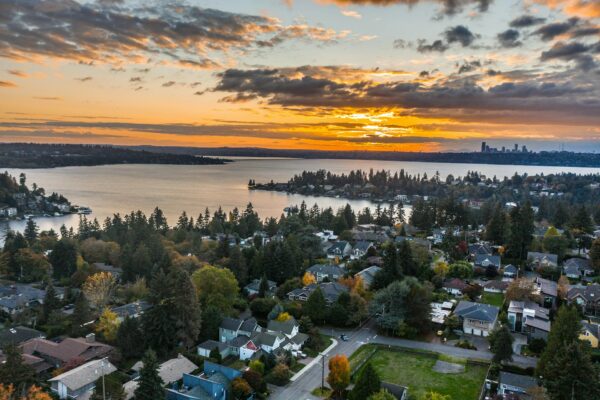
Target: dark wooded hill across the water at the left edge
<point>30,155</point>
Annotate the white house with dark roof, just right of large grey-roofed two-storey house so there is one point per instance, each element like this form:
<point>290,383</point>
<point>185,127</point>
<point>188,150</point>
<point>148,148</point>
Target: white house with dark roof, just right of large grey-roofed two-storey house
<point>529,318</point>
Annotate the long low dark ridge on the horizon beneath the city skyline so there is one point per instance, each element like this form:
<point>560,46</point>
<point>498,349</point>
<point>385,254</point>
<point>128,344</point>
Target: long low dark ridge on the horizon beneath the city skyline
<point>545,158</point>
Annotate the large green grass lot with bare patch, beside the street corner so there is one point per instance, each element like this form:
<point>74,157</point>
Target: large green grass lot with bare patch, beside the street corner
<point>416,372</point>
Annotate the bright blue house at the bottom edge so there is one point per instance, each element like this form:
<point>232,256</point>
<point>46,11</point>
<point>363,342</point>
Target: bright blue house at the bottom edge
<point>213,384</point>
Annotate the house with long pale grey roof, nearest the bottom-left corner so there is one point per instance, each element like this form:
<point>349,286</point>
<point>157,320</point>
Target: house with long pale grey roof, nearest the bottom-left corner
<point>81,381</point>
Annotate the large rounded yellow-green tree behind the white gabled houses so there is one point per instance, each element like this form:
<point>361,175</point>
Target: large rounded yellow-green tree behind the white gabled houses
<point>216,287</point>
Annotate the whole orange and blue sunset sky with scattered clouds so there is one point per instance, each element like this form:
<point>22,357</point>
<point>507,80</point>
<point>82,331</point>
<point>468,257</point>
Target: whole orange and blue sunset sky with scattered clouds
<point>372,75</point>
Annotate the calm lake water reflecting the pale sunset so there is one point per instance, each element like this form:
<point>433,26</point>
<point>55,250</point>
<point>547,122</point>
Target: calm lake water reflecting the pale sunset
<point>175,188</point>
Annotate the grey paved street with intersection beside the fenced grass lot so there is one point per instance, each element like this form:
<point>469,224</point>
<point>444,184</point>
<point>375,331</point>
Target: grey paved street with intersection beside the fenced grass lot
<point>311,379</point>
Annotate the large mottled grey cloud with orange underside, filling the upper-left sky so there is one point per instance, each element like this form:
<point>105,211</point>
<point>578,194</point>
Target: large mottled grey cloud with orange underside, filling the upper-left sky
<point>114,33</point>
